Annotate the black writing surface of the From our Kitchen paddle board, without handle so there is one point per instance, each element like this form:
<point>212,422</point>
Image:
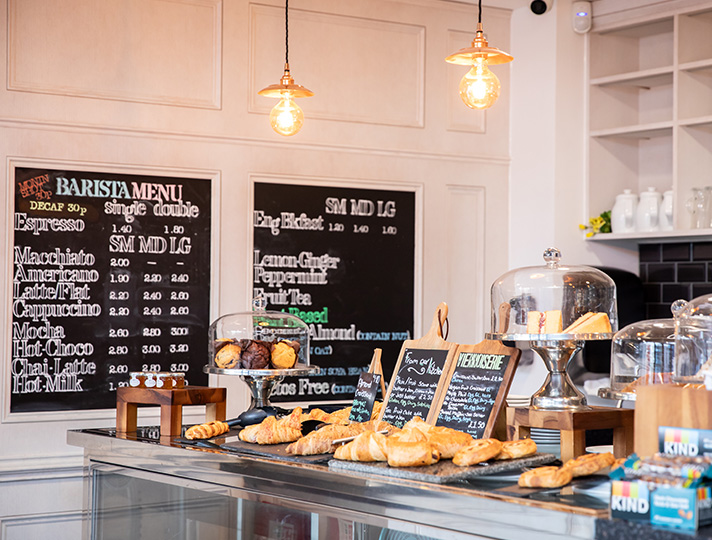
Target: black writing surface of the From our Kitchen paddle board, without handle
<point>414,386</point>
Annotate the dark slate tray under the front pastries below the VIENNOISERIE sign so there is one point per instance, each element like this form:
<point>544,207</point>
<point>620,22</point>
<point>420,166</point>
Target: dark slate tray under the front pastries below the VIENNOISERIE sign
<point>443,472</point>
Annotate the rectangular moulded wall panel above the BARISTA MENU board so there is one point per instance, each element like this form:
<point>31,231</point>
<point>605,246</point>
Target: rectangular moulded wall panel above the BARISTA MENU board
<point>153,51</point>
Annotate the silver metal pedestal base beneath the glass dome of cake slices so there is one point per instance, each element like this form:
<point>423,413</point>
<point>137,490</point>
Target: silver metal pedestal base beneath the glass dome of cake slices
<point>556,350</point>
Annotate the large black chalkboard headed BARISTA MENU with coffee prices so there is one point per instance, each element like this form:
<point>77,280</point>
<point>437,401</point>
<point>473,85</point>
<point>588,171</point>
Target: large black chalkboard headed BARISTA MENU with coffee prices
<point>111,274</point>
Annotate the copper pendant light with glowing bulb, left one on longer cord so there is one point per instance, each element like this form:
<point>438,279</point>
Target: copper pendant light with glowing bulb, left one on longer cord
<point>286,118</point>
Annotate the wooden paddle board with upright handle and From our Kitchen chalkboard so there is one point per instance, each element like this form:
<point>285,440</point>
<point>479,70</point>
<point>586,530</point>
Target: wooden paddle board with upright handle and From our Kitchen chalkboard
<point>416,382</point>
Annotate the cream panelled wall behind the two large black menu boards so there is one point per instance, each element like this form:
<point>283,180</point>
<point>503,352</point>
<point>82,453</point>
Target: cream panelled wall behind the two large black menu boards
<point>169,87</point>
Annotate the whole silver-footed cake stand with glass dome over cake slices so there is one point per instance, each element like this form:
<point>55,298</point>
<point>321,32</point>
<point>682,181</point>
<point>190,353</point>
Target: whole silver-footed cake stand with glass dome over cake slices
<point>555,308</point>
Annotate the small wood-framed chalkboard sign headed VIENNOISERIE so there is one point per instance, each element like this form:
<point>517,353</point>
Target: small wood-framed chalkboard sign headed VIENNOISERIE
<point>476,387</point>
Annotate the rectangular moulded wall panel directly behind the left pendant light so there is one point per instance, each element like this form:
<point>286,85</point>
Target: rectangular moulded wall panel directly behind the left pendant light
<point>365,70</point>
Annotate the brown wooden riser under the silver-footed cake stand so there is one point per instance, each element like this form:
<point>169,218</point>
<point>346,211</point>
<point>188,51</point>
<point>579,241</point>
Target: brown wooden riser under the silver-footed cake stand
<point>573,425</point>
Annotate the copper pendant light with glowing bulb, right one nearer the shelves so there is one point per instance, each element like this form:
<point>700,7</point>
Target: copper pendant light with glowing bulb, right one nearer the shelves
<point>479,88</point>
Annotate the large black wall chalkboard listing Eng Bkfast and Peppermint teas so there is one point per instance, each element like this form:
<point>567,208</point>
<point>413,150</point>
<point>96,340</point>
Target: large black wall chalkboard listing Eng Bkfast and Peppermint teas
<point>342,260</point>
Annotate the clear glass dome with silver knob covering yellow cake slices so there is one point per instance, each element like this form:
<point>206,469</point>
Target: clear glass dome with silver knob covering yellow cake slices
<point>554,300</point>
